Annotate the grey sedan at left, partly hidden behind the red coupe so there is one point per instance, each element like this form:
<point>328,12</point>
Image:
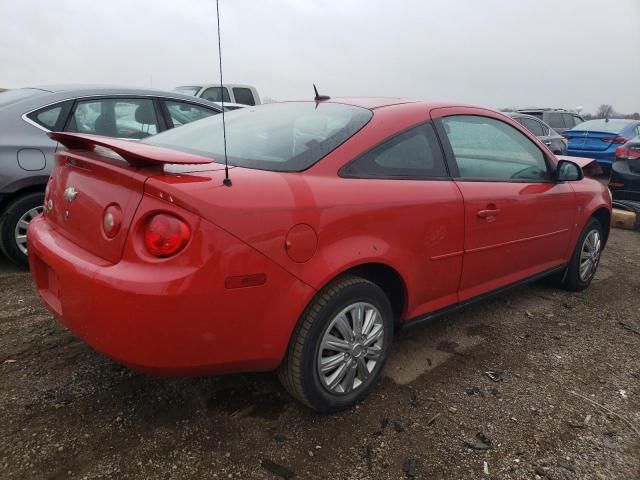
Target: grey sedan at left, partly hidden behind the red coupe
<point>26,152</point>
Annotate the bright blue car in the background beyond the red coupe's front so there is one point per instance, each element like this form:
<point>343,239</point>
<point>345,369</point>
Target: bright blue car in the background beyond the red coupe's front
<point>599,138</point>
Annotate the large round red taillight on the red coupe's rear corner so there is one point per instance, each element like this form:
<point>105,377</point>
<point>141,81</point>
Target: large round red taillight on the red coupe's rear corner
<point>165,235</point>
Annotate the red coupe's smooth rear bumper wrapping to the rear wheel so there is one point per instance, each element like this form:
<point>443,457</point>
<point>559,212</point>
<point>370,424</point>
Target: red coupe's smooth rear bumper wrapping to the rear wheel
<point>171,317</point>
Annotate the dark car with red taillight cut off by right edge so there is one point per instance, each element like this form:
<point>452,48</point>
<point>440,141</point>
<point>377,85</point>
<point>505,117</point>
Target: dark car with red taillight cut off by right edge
<point>625,172</point>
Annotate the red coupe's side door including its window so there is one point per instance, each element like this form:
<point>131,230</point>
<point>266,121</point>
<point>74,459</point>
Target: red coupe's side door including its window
<point>518,221</point>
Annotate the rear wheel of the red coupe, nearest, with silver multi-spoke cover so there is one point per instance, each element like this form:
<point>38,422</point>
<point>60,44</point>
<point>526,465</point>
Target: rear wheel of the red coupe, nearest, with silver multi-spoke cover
<point>338,348</point>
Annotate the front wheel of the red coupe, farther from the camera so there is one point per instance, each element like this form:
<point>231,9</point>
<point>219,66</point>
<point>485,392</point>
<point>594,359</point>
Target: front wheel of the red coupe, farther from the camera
<point>585,258</point>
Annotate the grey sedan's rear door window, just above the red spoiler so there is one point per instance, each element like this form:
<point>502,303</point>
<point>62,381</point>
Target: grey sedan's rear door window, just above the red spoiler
<point>122,117</point>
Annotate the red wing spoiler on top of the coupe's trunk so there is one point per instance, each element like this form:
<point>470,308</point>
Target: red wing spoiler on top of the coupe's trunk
<point>134,153</point>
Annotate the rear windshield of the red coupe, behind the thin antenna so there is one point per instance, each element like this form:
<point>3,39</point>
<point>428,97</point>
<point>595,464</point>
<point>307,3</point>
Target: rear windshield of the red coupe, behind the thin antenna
<point>285,137</point>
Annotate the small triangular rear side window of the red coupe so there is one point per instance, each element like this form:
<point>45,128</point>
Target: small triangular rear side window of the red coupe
<point>414,153</point>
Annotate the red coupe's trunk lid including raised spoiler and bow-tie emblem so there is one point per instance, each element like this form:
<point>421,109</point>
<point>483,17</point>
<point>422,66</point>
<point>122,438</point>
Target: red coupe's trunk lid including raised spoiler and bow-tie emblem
<point>98,174</point>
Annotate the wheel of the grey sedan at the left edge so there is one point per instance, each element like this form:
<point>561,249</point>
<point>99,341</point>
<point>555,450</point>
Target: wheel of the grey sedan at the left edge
<point>13,224</point>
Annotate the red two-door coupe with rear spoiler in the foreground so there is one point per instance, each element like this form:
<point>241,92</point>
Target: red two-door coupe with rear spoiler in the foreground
<point>344,219</point>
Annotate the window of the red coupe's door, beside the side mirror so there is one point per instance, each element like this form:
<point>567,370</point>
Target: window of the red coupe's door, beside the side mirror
<point>488,149</point>
